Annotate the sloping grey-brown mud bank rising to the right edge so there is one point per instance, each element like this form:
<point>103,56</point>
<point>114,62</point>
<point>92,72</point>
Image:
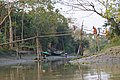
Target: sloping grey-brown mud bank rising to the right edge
<point>110,56</point>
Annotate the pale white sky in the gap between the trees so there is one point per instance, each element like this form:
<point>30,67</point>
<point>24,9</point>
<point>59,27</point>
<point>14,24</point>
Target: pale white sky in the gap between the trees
<point>88,18</point>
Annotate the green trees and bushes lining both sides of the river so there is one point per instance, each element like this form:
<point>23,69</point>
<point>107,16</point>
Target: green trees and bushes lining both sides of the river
<point>22,19</point>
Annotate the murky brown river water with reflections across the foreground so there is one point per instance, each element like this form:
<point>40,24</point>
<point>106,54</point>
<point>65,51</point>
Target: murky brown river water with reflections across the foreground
<point>59,71</point>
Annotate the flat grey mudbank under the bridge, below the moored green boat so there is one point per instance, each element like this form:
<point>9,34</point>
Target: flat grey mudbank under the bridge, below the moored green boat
<point>5,61</point>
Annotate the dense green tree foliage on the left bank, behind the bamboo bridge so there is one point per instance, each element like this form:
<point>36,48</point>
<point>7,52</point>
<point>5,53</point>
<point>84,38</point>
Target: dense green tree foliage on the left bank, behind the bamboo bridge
<point>29,17</point>
